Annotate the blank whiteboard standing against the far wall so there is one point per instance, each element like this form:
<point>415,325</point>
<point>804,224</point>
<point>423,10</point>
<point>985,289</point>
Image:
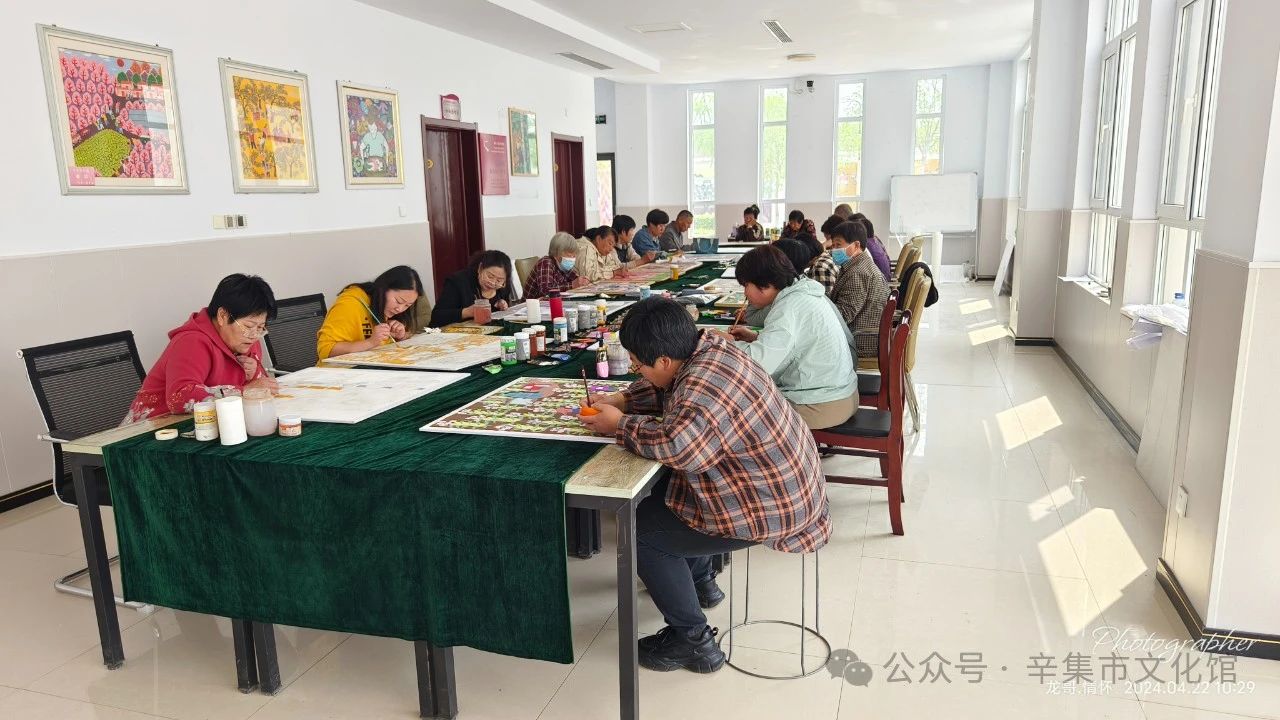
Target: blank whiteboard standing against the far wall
<point>921,204</point>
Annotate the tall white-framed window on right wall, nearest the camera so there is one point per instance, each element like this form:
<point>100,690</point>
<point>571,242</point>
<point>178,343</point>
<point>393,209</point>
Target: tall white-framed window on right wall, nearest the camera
<point>1188,139</point>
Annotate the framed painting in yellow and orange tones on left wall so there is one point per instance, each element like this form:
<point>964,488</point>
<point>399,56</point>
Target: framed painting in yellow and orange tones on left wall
<point>268,129</point>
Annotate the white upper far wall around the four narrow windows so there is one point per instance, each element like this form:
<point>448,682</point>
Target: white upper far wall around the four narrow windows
<point>811,138</point>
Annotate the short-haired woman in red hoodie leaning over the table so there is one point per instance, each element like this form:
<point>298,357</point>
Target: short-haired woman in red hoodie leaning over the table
<point>217,348</point>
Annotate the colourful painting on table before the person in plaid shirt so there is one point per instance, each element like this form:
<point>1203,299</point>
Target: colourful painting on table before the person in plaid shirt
<point>533,408</point>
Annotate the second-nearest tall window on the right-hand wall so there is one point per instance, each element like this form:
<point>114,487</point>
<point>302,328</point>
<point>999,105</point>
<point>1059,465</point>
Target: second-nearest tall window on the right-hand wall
<point>1112,138</point>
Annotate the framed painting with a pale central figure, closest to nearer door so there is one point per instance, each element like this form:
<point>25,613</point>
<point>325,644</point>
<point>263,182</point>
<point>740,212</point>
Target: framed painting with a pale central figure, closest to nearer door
<point>371,136</point>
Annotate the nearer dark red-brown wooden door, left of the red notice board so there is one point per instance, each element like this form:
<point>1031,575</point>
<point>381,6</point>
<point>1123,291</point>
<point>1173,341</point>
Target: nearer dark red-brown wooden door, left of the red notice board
<point>451,161</point>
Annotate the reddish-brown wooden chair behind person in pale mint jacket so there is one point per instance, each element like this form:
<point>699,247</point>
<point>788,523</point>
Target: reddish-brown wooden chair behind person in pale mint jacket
<point>877,434</point>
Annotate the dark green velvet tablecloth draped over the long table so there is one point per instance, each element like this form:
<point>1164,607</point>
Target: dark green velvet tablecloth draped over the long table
<point>373,528</point>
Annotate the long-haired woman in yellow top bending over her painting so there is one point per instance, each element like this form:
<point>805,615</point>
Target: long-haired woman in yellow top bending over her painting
<point>371,315</point>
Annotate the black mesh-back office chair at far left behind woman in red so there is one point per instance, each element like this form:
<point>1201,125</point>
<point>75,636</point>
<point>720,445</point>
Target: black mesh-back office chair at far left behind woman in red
<point>84,388</point>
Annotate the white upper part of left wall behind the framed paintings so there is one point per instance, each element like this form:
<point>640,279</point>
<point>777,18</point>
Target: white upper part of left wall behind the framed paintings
<point>419,61</point>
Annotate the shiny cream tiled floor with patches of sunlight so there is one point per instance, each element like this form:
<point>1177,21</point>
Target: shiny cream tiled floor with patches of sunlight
<point>1028,532</point>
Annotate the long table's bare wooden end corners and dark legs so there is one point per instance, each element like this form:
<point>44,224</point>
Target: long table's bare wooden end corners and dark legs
<point>612,481</point>
